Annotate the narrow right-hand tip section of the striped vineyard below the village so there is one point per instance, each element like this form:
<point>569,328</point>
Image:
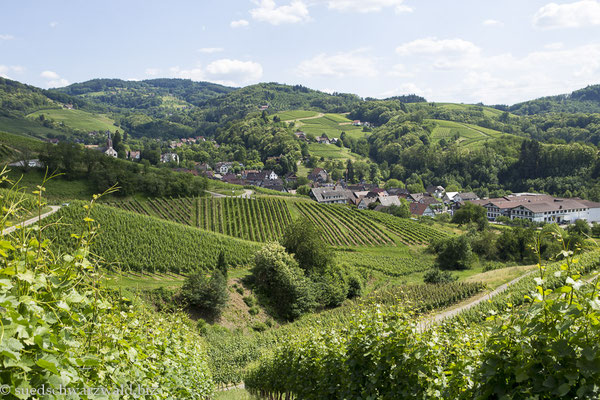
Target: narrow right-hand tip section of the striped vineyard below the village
<point>410,232</point>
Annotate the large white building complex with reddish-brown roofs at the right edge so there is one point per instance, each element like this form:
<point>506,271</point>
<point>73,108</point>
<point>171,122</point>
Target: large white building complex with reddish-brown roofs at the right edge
<point>541,208</point>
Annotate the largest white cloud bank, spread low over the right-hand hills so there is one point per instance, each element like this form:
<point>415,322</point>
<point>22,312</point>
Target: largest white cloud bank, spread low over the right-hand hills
<point>463,72</point>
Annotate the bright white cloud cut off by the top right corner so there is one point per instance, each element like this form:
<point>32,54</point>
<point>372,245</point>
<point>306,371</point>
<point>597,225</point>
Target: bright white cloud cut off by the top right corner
<point>570,15</point>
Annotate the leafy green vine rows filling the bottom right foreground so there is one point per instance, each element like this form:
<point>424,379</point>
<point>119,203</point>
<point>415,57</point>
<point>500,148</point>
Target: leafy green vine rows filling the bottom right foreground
<point>546,348</point>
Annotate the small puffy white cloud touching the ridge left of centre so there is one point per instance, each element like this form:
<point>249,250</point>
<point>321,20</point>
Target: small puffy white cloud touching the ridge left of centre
<point>234,72</point>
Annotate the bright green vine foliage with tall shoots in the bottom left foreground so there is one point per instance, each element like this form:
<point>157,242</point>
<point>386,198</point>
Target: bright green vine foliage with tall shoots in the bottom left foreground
<point>60,330</point>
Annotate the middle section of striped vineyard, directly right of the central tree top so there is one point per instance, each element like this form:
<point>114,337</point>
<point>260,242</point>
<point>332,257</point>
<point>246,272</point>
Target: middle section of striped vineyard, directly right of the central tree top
<point>343,226</point>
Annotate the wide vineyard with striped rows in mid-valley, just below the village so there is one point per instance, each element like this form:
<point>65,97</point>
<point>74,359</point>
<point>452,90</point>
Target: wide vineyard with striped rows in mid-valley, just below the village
<point>265,218</point>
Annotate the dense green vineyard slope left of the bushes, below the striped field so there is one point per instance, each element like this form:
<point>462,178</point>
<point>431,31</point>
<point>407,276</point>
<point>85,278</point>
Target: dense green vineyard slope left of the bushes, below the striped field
<point>134,242</point>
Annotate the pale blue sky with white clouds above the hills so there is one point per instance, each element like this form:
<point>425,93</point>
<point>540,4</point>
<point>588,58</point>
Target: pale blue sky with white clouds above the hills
<point>461,51</point>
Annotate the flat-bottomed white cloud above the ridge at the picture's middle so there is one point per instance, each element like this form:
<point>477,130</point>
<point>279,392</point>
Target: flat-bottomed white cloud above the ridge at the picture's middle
<point>338,65</point>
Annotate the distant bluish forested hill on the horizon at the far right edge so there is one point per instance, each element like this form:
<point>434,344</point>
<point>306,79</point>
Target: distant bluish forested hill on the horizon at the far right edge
<point>586,100</point>
